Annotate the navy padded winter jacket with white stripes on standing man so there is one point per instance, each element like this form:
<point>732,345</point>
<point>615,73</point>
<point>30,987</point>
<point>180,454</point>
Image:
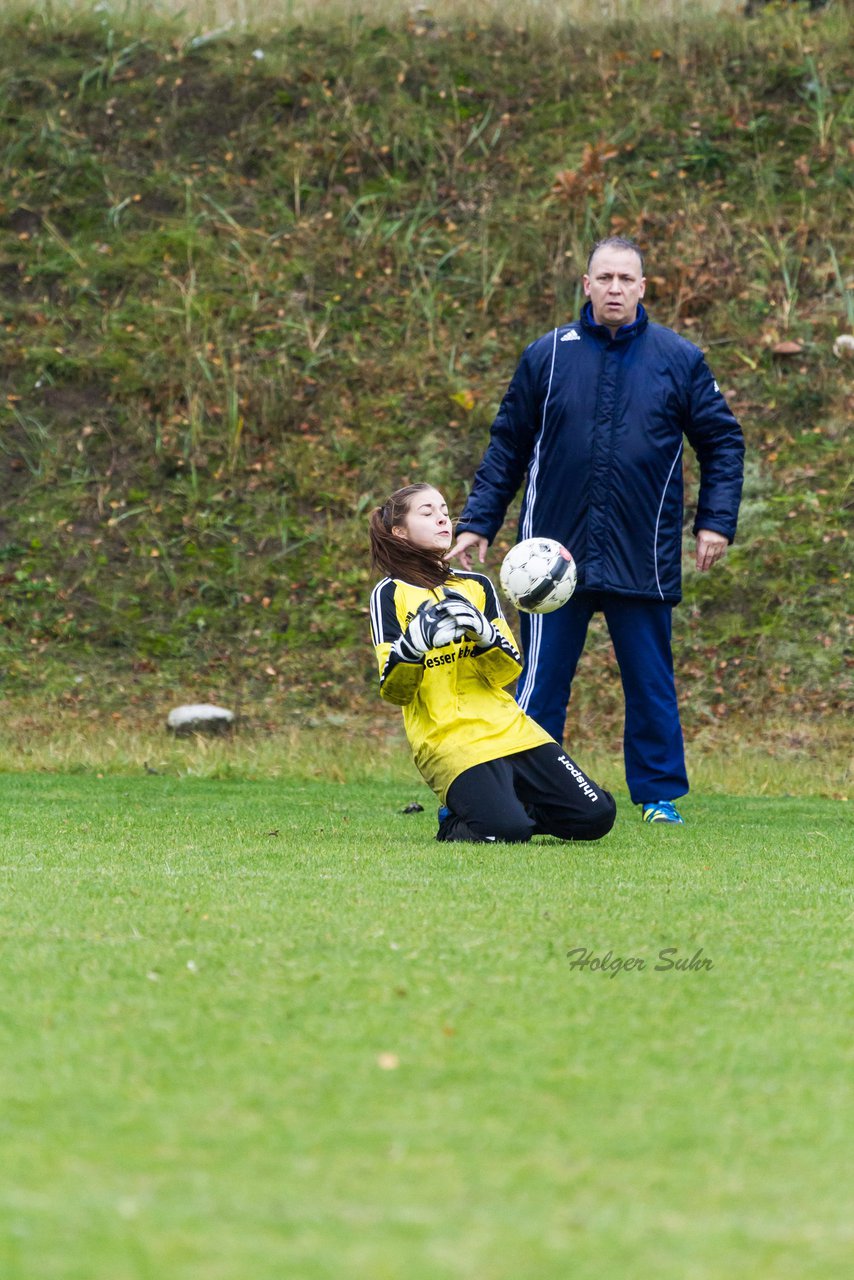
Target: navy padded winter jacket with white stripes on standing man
<point>597,423</point>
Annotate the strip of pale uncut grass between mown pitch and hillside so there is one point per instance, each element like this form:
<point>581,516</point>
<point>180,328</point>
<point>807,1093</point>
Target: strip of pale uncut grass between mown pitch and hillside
<point>725,758</point>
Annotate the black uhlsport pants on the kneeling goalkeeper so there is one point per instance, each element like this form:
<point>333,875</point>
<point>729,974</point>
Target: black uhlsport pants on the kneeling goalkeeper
<point>540,792</point>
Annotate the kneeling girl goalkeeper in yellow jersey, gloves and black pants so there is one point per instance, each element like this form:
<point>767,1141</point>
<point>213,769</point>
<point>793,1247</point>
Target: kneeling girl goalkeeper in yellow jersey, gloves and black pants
<point>446,656</point>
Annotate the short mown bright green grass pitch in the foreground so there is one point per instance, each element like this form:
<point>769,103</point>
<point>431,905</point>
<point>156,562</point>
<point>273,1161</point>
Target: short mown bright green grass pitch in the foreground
<point>272,1030</point>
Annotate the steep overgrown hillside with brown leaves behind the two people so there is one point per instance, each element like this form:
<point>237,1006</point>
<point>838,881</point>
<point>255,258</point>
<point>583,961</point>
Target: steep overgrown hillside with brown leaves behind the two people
<point>253,281</point>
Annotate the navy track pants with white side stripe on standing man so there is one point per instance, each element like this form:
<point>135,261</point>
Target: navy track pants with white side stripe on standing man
<point>641,633</point>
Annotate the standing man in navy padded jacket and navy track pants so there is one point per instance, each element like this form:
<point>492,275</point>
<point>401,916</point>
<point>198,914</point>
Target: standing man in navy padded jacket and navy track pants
<point>595,418</point>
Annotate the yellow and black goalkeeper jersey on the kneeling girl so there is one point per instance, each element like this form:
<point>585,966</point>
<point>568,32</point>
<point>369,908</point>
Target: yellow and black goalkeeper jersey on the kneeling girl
<point>456,710</point>
